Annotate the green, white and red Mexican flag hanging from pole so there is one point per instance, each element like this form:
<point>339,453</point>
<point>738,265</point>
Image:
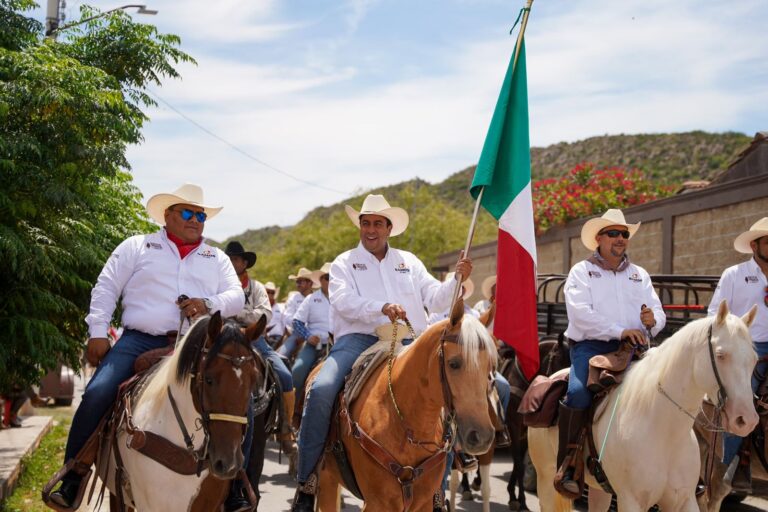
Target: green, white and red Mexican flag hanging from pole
<point>504,171</point>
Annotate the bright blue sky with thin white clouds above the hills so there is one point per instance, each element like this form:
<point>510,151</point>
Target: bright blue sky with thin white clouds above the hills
<point>295,104</point>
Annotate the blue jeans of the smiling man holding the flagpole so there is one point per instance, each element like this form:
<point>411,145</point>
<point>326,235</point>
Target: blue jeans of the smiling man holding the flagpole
<point>316,418</point>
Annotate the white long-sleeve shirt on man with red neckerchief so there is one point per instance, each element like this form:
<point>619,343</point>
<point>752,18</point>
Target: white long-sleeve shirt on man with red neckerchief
<point>147,272</point>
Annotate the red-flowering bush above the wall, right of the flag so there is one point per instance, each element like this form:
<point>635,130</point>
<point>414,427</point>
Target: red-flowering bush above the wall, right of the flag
<point>587,190</point>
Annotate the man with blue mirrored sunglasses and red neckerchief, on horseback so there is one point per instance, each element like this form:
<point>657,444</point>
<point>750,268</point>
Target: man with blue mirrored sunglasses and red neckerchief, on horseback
<point>147,273</point>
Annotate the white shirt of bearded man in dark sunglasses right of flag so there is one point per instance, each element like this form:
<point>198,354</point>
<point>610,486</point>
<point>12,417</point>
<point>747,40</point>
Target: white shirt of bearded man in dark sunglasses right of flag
<point>602,303</point>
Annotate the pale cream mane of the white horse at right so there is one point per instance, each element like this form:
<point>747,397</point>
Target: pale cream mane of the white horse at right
<point>639,388</point>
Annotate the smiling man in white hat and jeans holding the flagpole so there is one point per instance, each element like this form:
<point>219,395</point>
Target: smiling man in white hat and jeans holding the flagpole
<point>369,285</point>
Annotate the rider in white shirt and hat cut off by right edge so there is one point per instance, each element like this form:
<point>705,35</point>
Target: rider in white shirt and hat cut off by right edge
<point>742,286</point>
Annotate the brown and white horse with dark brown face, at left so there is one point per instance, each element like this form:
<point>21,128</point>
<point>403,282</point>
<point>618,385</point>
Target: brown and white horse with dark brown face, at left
<point>203,388</point>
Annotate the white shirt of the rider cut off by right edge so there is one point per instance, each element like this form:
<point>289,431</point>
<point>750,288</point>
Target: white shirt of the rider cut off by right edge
<point>743,286</point>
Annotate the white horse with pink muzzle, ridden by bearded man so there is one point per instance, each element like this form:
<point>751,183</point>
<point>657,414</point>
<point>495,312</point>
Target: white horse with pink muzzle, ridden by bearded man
<point>644,426</point>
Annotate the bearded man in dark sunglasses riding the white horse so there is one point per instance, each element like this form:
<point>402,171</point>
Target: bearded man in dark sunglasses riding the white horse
<point>603,295</point>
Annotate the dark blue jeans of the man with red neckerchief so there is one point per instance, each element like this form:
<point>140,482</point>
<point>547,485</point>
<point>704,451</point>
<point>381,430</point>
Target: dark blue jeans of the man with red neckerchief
<point>101,391</point>
